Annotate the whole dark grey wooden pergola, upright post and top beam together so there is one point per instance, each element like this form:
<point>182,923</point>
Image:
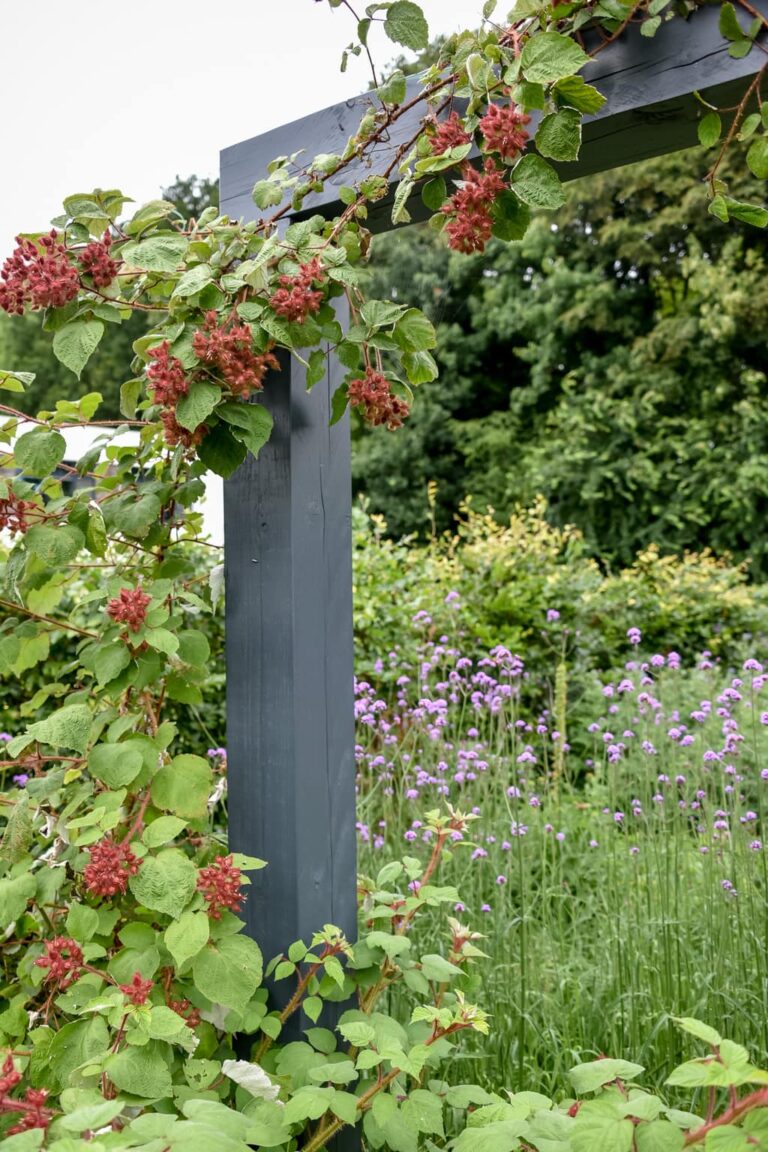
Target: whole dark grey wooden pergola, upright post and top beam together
<point>287,514</point>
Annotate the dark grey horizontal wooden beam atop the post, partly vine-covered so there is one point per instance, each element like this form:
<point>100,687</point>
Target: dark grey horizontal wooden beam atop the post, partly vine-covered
<point>651,110</point>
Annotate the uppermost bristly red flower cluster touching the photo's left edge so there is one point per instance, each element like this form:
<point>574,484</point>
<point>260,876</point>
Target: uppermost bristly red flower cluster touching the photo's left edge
<point>39,277</point>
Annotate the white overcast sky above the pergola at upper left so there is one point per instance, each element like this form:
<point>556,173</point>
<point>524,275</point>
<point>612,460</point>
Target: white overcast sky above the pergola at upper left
<point>128,95</point>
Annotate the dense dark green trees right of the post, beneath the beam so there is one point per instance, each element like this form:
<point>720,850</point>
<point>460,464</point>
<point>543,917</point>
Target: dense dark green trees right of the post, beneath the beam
<point>615,363</point>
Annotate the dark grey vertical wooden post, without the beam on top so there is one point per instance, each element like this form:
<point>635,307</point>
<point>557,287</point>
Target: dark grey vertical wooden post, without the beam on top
<point>290,668</point>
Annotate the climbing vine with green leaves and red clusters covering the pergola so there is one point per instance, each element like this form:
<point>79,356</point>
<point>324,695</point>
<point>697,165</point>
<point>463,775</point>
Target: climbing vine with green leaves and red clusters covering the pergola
<point>126,972</point>
